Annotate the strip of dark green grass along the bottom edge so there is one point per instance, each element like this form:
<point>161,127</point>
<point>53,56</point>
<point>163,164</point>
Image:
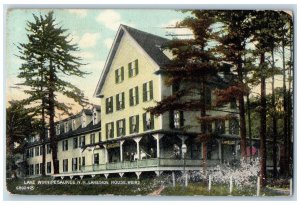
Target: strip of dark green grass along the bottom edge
<point>145,187</point>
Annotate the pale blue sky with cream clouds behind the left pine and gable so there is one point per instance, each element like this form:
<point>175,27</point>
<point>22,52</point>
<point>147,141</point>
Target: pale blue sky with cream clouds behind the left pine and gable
<point>92,29</point>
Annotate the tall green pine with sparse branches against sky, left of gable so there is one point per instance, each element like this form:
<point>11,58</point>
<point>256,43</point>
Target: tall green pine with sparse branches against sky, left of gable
<point>49,56</point>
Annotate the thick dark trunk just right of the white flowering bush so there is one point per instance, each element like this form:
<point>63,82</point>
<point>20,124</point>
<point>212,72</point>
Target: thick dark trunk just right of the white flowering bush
<point>263,120</point>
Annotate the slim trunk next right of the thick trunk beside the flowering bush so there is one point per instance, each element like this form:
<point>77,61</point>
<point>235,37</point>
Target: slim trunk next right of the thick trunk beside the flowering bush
<point>274,120</point>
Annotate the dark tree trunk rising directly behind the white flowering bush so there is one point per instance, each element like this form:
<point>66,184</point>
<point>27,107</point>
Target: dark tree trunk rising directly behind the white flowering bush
<point>242,110</point>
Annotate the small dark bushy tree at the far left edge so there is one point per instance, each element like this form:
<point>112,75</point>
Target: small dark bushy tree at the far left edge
<point>19,126</point>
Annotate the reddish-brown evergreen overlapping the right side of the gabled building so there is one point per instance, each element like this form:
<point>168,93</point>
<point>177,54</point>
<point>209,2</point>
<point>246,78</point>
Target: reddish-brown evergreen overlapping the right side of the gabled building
<point>193,74</point>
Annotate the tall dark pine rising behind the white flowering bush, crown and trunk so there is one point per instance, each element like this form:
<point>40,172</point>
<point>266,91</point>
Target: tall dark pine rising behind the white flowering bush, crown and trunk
<point>233,40</point>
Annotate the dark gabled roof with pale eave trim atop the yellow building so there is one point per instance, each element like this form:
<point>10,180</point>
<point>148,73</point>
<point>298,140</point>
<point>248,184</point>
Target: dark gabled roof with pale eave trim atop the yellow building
<point>150,43</point>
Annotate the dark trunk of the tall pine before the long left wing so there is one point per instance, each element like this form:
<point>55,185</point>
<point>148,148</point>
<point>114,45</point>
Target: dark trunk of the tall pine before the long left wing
<point>53,138</point>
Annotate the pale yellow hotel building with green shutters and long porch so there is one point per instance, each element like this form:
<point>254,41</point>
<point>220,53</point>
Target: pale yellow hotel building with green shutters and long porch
<point>123,138</point>
